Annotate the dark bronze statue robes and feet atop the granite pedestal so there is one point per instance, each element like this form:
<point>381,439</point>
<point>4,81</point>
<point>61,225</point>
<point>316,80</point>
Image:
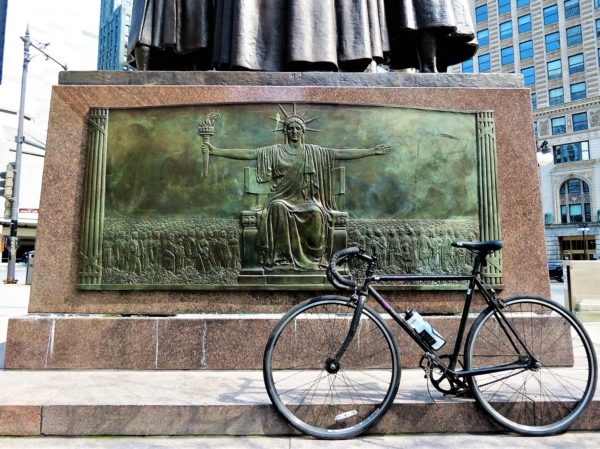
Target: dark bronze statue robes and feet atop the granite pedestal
<point>300,35</point>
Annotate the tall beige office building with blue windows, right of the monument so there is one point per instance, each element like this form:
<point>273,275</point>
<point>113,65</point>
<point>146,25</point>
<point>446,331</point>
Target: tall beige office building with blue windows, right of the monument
<point>554,45</point>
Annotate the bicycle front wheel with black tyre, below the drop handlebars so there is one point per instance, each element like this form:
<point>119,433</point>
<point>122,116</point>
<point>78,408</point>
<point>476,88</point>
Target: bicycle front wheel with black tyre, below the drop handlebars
<point>317,400</point>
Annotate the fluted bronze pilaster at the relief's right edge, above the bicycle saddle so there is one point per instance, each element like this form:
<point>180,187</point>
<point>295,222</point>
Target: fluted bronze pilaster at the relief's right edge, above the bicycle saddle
<point>489,214</point>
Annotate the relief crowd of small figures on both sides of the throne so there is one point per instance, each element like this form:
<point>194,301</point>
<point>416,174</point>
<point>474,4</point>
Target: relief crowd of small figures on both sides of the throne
<point>207,250</point>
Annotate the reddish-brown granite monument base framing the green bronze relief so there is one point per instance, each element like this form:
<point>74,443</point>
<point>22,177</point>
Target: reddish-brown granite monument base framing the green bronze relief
<point>107,326</point>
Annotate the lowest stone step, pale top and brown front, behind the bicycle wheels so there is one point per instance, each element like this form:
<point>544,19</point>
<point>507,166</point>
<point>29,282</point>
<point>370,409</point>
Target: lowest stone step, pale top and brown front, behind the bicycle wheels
<point>98,402</point>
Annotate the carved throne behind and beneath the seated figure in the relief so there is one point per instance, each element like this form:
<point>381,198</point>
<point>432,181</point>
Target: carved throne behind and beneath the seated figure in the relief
<point>252,271</point>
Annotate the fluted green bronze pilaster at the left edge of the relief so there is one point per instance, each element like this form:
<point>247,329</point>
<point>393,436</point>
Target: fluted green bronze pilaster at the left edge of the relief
<point>93,212</point>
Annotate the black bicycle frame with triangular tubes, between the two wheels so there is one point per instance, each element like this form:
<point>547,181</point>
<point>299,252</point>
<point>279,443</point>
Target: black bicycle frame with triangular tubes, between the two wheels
<point>474,282</point>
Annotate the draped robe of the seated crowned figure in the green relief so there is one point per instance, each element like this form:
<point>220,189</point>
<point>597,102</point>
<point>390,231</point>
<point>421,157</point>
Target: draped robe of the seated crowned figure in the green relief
<point>295,226</point>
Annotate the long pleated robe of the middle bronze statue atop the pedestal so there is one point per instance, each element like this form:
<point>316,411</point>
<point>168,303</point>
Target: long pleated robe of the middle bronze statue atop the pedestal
<point>284,35</point>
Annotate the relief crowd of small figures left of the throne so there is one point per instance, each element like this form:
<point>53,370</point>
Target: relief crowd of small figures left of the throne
<point>171,251</point>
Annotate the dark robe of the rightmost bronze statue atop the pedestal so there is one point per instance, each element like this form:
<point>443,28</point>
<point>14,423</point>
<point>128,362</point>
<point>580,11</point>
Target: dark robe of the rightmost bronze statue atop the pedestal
<point>451,21</point>
